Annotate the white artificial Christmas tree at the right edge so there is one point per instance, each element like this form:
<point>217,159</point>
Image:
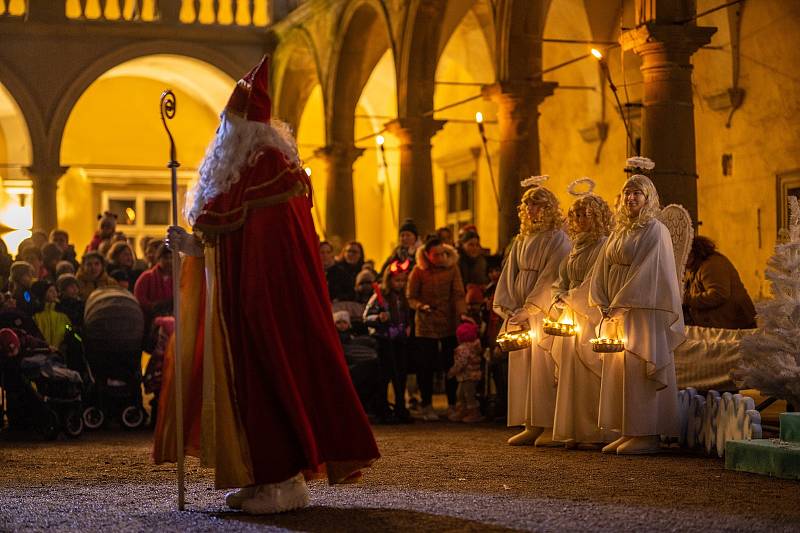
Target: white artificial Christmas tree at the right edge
<point>771,356</point>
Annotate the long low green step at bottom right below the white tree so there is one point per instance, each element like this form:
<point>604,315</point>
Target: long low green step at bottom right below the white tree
<point>764,456</point>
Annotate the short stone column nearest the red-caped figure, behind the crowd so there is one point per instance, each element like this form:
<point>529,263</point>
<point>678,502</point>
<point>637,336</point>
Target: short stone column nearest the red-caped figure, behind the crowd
<point>340,212</point>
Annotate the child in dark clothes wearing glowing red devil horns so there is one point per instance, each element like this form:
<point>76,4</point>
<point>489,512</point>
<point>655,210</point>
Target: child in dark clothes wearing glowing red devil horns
<point>389,319</point>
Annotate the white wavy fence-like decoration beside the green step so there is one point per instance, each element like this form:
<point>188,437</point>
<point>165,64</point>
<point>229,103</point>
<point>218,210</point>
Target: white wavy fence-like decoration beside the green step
<point>711,421</point>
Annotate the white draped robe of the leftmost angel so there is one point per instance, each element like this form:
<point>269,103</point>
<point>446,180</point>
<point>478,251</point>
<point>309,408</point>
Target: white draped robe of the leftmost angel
<point>525,282</point>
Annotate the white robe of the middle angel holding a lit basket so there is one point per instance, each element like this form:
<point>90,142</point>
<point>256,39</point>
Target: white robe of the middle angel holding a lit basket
<point>578,367</point>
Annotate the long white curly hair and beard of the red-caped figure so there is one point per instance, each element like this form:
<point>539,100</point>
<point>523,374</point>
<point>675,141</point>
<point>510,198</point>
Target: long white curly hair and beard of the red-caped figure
<point>236,146</point>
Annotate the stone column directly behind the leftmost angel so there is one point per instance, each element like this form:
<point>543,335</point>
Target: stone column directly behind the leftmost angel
<point>518,120</point>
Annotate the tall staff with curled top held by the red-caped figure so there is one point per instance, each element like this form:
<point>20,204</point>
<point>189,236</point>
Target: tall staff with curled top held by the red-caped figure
<point>168,105</point>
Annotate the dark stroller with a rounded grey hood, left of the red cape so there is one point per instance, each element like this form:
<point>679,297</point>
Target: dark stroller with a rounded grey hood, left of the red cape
<point>113,328</point>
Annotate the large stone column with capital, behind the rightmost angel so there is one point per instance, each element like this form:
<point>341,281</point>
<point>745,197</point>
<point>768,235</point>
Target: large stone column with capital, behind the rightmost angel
<point>668,114</point>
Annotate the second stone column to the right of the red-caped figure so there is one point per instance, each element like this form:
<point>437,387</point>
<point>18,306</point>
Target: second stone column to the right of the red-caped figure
<point>416,172</point>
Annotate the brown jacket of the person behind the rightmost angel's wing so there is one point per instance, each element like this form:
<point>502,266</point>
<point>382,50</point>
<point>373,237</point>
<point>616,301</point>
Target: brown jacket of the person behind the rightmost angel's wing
<point>716,297</point>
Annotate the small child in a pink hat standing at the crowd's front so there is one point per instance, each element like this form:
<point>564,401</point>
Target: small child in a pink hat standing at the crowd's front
<point>467,370</point>
